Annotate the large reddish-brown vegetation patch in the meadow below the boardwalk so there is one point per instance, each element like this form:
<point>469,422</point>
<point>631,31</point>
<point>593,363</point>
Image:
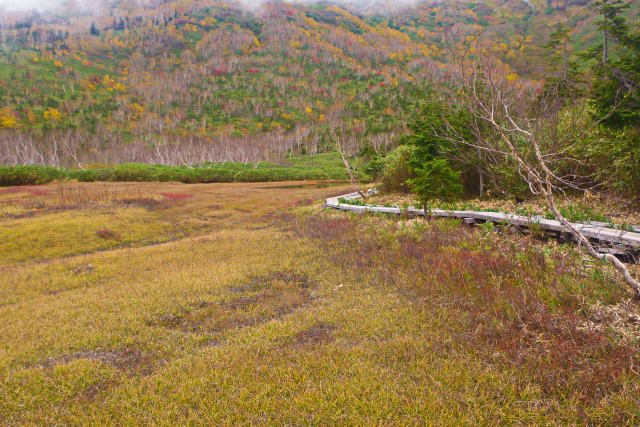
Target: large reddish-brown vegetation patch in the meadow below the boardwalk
<point>513,304</point>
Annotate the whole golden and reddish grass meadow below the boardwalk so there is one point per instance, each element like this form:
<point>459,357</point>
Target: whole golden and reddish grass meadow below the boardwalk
<point>172,304</point>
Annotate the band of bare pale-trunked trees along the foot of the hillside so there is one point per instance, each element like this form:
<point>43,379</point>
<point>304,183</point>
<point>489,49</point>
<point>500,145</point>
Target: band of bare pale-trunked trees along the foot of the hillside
<point>76,148</point>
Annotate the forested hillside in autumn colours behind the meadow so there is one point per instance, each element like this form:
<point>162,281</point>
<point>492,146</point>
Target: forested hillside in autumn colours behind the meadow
<point>191,81</point>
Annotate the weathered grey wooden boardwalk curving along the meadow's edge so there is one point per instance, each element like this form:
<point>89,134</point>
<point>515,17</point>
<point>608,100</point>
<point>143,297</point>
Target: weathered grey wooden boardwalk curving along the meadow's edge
<point>608,240</point>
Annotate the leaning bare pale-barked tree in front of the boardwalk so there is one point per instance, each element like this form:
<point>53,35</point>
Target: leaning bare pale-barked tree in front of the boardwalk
<point>534,130</point>
